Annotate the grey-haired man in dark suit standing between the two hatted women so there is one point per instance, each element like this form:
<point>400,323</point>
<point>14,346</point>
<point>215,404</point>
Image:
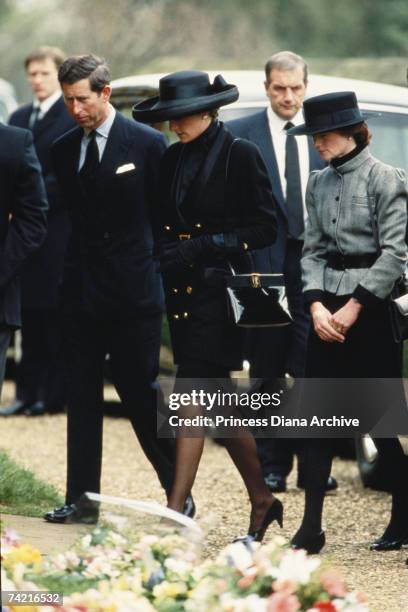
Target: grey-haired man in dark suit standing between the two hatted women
<point>274,353</point>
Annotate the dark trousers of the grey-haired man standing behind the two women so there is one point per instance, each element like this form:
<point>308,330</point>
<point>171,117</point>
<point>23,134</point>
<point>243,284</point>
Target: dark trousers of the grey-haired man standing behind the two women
<point>273,352</point>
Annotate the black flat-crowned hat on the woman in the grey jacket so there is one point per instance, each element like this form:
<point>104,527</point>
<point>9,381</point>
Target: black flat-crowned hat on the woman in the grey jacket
<point>330,112</point>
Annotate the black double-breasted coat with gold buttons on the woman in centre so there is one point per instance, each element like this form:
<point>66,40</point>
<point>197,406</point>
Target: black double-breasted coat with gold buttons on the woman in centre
<point>240,202</point>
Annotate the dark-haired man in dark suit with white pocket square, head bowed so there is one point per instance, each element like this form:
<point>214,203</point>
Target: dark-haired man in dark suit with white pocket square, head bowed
<point>112,293</point>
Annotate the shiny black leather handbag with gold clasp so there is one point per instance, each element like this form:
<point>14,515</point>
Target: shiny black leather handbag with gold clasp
<point>258,300</point>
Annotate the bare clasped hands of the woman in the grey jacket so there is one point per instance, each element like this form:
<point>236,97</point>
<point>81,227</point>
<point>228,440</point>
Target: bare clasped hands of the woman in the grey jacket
<point>334,327</point>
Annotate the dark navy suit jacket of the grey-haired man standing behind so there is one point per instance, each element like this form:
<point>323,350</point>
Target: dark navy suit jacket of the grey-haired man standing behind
<point>256,129</point>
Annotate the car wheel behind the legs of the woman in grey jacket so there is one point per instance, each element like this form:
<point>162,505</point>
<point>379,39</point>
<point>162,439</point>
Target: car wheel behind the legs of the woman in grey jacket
<point>371,467</point>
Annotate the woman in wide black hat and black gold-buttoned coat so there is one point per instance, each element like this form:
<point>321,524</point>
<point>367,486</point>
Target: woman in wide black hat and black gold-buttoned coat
<point>214,204</point>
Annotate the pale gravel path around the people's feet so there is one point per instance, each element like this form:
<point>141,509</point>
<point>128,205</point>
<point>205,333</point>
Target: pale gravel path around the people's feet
<point>353,516</point>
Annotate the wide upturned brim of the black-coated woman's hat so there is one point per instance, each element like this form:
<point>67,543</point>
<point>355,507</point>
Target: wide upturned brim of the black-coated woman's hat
<point>154,110</point>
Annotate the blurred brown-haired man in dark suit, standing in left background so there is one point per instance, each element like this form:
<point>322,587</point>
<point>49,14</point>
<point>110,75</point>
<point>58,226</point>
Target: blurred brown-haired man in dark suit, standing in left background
<point>40,384</point>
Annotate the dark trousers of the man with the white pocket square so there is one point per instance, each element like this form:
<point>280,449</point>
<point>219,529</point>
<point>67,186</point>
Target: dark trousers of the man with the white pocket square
<point>133,347</point>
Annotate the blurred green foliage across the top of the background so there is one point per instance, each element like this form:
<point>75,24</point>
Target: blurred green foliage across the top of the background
<point>140,36</point>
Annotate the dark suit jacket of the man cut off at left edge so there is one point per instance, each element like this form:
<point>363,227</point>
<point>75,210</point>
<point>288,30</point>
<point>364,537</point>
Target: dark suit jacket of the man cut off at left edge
<point>23,213</point>
